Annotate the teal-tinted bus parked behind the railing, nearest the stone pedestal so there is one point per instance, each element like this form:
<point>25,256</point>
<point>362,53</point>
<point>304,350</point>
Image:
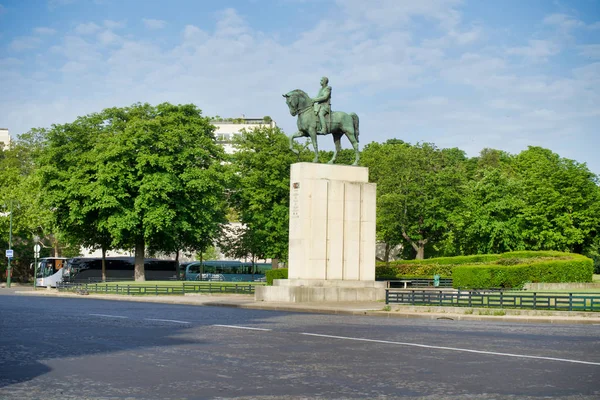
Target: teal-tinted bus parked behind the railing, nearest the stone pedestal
<point>229,271</point>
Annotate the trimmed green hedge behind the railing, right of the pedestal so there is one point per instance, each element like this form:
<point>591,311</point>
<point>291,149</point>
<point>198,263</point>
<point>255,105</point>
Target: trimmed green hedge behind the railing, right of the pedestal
<point>508,270</point>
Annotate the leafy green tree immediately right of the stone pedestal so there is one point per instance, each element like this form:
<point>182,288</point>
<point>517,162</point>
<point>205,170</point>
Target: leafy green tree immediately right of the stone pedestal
<point>418,188</point>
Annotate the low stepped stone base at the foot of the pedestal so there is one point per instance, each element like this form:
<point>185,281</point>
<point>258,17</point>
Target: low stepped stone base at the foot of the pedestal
<point>320,290</point>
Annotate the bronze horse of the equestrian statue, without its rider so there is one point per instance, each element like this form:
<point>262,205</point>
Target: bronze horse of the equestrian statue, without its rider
<point>339,124</point>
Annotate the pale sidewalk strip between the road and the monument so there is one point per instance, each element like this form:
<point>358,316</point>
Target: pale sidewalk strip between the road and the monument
<point>372,308</point>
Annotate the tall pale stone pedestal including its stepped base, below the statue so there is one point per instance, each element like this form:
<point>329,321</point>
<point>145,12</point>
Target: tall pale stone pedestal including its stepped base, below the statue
<point>332,237</point>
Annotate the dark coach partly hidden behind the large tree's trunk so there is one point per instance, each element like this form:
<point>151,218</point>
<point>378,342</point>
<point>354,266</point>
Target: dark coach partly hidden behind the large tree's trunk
<point>87,269</point>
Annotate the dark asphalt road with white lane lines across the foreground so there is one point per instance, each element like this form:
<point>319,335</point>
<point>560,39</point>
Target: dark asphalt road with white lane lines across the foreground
<point>72,348</point>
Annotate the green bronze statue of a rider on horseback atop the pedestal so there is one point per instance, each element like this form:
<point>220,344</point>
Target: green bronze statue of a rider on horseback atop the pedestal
<point>337,123</point>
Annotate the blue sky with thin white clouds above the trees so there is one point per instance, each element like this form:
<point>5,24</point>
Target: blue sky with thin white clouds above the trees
<point>469,74</point>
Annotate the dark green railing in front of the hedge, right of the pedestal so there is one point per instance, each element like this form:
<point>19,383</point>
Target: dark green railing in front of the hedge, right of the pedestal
<point>531,301</point>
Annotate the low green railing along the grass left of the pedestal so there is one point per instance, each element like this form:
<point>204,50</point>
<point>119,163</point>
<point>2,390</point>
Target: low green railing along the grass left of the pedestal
<point>156,289</point>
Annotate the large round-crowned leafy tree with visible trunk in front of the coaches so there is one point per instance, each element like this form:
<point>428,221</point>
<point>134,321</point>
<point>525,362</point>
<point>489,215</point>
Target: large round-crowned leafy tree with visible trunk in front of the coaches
<point>143,176</point>
